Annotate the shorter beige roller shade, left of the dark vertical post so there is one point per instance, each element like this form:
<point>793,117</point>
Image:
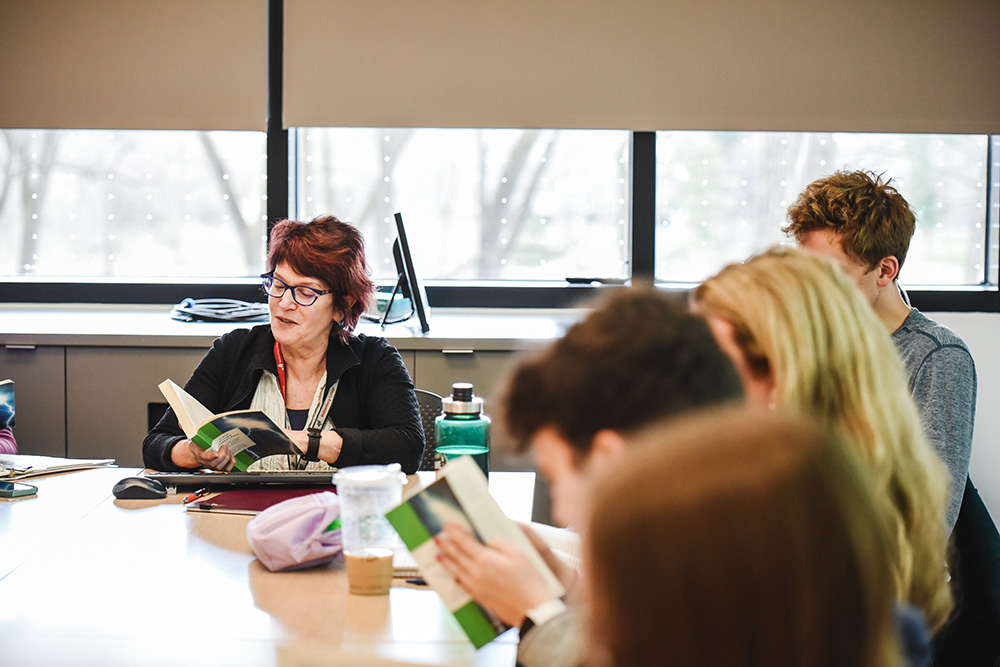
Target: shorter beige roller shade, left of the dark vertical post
<point>169,64</point>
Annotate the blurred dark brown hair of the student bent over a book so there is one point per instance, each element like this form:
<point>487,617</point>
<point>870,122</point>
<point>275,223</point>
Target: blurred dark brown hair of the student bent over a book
<point>638,356</point>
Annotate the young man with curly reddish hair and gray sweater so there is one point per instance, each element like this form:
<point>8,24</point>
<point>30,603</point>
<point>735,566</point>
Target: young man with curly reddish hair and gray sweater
<point>862,222</point>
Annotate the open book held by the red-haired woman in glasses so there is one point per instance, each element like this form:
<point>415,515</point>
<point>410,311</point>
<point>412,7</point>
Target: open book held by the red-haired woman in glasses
<point>249,434</point>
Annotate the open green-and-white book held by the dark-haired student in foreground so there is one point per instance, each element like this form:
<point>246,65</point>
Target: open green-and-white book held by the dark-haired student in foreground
<point>461,495</point>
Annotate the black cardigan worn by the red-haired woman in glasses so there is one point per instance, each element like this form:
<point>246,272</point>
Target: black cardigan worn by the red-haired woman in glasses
<point>375,410</point>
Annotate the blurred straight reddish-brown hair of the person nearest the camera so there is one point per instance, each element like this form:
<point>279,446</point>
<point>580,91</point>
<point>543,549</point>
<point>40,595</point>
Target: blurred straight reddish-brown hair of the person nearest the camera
<point>739,537</point>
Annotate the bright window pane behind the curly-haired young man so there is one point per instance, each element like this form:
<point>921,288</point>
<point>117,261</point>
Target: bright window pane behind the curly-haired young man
<point>722,196</point>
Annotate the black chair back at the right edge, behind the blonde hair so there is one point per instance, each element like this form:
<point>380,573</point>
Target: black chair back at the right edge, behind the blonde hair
<point>972,636</point>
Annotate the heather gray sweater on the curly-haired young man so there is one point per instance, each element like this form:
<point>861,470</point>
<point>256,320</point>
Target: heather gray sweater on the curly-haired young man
<point>942,378</point>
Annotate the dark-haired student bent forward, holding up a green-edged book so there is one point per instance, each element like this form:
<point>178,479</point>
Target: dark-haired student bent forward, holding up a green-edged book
<point>637,357</point>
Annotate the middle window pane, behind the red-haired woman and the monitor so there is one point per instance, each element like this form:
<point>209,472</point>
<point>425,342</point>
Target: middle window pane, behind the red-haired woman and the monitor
<point>537,205</point>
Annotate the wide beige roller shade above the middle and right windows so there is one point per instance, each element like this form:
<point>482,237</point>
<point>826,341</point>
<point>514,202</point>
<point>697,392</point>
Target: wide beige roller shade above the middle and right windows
<point>895,65</point>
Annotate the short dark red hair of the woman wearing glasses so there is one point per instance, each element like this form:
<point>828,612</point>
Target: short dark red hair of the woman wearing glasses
<point>333,252</point>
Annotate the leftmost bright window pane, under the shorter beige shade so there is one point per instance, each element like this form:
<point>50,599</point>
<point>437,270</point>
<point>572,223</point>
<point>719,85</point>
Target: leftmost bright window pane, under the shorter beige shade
<point>166,204</point>
